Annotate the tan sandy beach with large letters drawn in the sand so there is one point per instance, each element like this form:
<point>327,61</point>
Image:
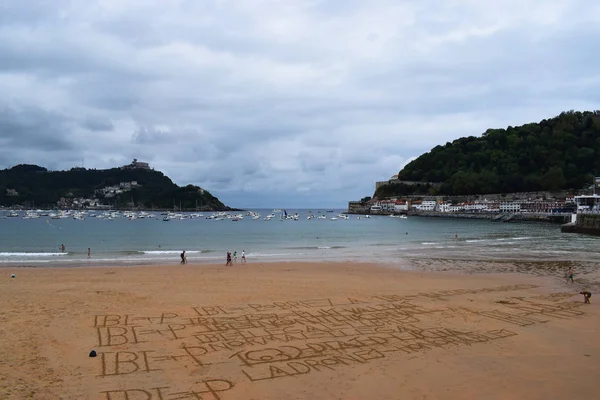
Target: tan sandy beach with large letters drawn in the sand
<point>293,331</point>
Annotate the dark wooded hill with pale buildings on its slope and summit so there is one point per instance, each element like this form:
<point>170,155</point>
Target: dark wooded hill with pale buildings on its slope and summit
<point>31,185</point>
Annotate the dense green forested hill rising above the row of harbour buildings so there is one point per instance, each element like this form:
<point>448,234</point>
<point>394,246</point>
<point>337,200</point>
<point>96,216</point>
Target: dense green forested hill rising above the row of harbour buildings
<point>561,153</point>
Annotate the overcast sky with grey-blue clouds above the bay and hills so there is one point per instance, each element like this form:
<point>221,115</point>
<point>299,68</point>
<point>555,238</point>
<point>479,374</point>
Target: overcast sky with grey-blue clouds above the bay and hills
<point>282,103</point>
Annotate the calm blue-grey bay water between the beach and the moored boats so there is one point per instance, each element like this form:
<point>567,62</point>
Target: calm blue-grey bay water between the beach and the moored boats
<point>36,242</point>
